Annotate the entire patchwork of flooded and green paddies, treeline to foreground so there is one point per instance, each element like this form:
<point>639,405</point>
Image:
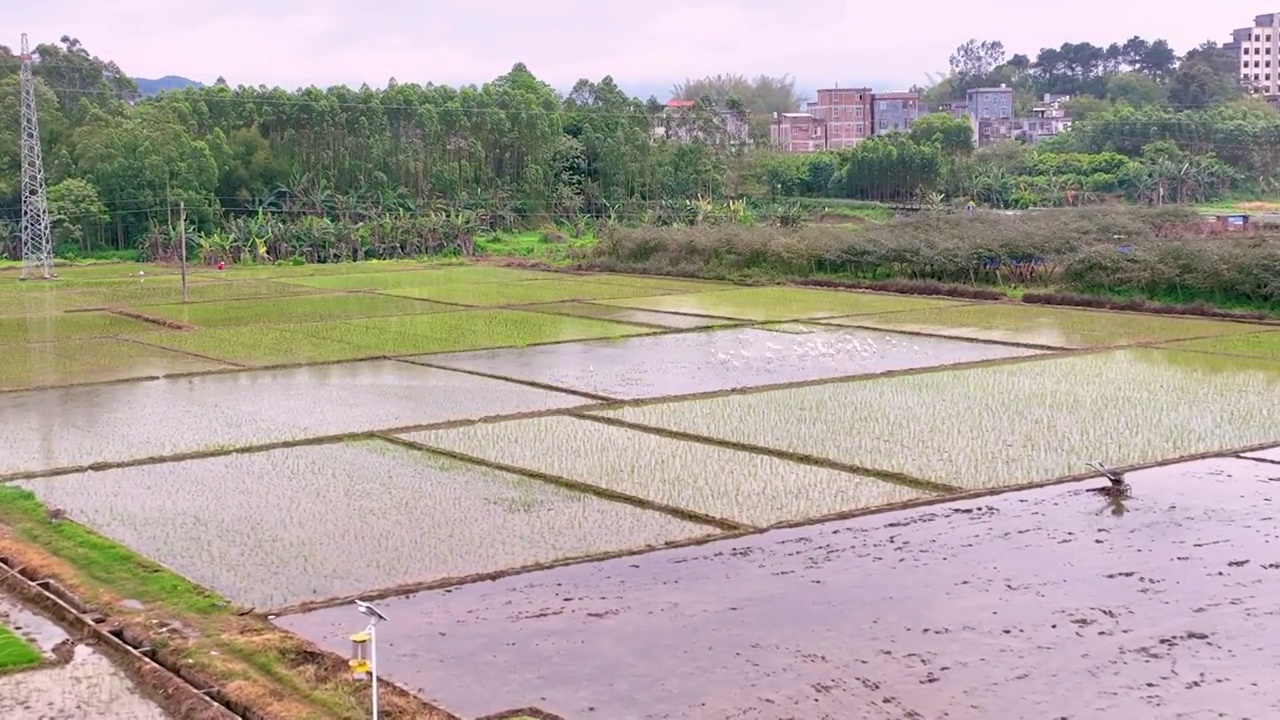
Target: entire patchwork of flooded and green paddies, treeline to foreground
<point>647,498</point>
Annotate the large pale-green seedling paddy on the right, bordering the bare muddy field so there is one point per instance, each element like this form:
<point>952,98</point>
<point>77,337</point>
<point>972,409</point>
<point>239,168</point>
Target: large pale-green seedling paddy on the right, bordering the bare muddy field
<point>1004,425</point>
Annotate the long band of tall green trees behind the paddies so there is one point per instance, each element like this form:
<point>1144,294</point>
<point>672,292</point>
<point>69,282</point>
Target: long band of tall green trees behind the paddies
<point>415,168</point>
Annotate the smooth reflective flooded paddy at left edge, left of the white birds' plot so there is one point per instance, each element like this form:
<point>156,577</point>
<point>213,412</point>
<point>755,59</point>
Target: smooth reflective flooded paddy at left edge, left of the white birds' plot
<point>115,423</point>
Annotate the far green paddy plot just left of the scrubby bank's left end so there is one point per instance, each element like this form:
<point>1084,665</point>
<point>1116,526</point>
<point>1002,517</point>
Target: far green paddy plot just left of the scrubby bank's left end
<point>532,293</point>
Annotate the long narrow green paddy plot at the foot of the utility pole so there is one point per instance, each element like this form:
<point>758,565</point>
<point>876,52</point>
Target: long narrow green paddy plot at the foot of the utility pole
<point>305,309</point>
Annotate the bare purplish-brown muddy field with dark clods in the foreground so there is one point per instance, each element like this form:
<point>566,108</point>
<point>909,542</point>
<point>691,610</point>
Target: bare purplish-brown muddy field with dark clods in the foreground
<point>1044,604</point>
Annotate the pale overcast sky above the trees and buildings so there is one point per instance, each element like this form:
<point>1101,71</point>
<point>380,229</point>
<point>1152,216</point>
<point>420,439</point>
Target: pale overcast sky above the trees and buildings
<point>642,44</point>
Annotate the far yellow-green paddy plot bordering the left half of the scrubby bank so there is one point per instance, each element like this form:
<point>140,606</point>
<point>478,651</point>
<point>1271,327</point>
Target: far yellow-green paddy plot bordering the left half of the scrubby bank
<point>775,304</point>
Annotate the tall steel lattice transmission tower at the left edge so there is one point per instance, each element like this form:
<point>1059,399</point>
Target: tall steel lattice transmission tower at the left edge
<point>38,250</point>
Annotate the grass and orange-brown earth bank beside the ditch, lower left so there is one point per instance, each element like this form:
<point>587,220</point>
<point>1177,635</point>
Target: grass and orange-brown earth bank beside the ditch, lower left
<point>252,662</point>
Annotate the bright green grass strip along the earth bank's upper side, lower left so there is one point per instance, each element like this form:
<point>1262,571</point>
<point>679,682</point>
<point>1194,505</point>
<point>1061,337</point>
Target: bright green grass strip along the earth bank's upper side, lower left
<point>107,563</point>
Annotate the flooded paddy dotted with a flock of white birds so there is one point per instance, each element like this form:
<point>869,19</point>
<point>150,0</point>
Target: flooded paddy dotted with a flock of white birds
<point>720,361</point>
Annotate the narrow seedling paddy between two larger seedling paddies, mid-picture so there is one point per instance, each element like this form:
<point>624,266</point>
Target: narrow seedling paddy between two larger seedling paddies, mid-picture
<point>742,487</point>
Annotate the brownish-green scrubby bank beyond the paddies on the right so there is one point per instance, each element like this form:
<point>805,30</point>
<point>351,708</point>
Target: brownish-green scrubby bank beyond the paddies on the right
<point>1126,258</point>
